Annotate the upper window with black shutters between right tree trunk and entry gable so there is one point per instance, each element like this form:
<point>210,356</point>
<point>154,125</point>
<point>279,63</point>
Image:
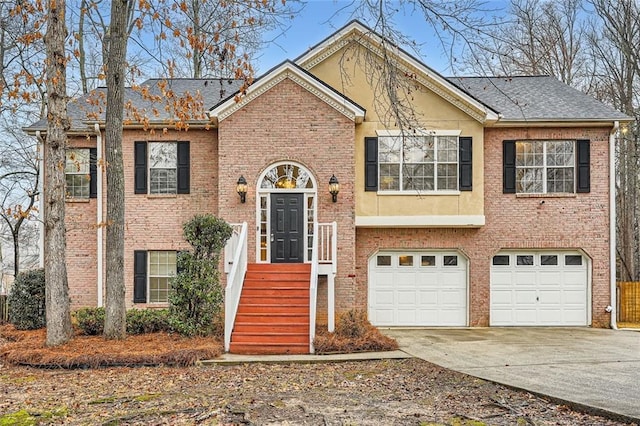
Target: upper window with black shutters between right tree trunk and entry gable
<point>162,168</point>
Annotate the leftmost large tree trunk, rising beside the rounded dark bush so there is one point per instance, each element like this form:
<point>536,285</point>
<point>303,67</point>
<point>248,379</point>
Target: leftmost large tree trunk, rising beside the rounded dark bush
<point>59,329</point>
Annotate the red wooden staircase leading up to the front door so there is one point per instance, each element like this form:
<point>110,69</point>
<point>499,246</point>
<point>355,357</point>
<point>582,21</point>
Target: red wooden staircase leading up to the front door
<point>273,314</point>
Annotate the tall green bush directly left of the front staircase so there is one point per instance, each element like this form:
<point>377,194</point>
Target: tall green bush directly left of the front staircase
<point>196,295</point>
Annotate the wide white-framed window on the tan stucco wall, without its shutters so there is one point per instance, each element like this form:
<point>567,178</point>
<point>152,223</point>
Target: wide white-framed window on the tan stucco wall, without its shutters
<point>418,163</point>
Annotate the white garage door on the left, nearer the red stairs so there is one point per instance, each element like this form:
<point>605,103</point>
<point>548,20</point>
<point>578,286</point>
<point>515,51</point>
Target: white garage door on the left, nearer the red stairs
<point>418,289</point>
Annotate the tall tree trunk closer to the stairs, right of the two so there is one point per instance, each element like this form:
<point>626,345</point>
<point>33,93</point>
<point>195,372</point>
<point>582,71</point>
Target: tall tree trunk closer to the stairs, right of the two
<point>115,308</point>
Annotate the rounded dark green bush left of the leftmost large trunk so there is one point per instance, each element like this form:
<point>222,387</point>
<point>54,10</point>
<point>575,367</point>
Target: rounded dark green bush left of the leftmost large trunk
<point>26,301</point>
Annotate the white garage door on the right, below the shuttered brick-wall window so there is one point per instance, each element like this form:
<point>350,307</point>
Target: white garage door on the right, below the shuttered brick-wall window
<point>539,288</point>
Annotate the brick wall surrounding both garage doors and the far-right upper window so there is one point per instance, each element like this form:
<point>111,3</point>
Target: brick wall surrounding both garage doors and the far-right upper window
<point>512,222</point>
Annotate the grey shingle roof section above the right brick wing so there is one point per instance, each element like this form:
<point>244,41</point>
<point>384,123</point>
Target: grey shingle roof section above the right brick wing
<point>536,98</point>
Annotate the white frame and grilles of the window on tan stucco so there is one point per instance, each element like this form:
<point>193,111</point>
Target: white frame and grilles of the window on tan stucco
<point>423,133</point>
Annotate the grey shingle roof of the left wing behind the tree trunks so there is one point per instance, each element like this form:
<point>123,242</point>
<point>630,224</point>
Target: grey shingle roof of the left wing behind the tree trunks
<point>91,107</point>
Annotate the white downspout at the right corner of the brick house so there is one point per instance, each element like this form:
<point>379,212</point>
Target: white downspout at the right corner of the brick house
<point>612,223</point>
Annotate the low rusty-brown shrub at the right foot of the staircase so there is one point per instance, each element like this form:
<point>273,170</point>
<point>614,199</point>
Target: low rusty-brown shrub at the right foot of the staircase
<point>354,333</point>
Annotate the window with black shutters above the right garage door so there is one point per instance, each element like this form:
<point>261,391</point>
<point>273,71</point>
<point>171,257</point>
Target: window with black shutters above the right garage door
<point>546,166</point>
